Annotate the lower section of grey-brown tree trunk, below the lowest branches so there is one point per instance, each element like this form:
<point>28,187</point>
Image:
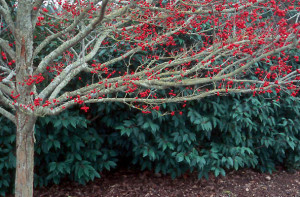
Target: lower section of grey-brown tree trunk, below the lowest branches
<point>25,155</point>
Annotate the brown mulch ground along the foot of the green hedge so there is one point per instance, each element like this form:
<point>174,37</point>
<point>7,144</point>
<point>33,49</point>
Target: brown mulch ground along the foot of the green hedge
<point>146,184</point>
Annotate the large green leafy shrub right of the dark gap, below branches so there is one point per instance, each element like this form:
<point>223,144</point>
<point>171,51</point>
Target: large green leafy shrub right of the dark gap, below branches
<point>217,134</point>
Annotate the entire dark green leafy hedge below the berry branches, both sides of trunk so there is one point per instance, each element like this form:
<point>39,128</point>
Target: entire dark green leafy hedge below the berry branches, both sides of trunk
<point>212,135</point>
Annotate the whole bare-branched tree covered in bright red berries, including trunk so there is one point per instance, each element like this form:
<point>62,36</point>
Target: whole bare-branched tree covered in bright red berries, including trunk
<point>46,46</point>
